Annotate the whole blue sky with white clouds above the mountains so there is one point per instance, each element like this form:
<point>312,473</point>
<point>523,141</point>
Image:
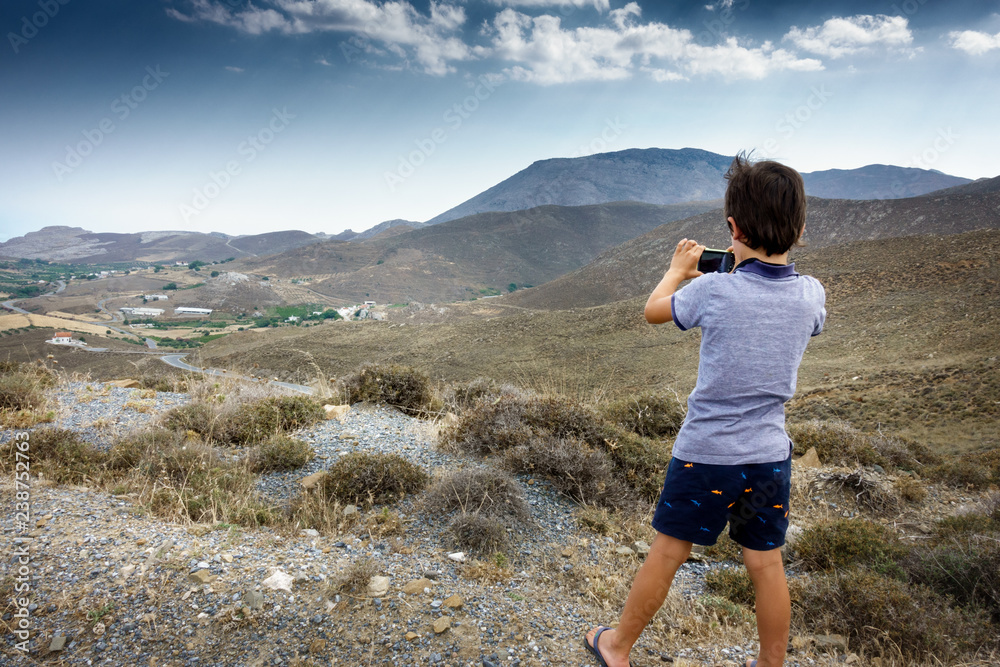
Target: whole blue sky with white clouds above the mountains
<point>322,115</point>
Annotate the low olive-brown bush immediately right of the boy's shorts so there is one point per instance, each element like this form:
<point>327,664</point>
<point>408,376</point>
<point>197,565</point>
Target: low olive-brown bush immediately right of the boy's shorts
<point>842,543</point>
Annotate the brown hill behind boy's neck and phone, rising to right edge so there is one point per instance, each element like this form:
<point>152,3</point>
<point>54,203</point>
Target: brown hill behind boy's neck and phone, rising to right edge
<point>635,267</point>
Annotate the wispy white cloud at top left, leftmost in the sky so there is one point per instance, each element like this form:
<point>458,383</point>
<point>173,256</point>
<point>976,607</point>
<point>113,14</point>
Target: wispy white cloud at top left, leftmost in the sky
<point>397,25</point>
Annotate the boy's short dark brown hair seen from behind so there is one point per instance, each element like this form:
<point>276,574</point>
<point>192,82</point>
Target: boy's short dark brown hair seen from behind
<point>768,201</point>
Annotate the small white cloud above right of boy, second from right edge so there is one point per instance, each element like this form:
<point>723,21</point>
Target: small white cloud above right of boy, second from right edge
<point>843,36</point>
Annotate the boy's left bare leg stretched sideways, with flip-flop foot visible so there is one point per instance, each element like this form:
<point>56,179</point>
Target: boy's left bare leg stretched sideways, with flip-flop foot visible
<point>649,590</point>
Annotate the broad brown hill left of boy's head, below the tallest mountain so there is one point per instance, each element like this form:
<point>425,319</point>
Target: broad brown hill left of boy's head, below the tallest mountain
<point>474,256</point>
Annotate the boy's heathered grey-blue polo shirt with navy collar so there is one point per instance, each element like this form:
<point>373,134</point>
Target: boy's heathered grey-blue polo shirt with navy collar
<point>755,324</point>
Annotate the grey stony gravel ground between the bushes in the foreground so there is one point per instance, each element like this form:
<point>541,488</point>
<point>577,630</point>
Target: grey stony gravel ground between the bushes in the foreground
<point>123,588</point>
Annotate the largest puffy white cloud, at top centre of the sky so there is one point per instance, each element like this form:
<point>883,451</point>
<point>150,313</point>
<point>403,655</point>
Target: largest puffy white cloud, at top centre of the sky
<point>546,53</point>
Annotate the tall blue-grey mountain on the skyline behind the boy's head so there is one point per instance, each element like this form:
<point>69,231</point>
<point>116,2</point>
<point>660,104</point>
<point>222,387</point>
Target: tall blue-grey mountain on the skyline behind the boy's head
<point>664,176</point>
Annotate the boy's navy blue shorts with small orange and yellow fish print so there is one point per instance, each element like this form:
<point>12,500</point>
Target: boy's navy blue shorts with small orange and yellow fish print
<point>699,499</point>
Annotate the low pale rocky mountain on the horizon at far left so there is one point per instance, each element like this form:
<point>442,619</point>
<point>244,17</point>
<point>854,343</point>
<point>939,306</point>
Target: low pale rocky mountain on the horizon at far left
<point>76,245</point>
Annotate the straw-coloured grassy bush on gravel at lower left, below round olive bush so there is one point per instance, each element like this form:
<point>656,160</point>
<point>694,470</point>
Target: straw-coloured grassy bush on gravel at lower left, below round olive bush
<point>184,479</point>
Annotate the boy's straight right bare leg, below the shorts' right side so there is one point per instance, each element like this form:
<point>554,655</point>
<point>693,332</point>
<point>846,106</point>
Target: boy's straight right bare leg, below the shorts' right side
<point>774,608</point>
